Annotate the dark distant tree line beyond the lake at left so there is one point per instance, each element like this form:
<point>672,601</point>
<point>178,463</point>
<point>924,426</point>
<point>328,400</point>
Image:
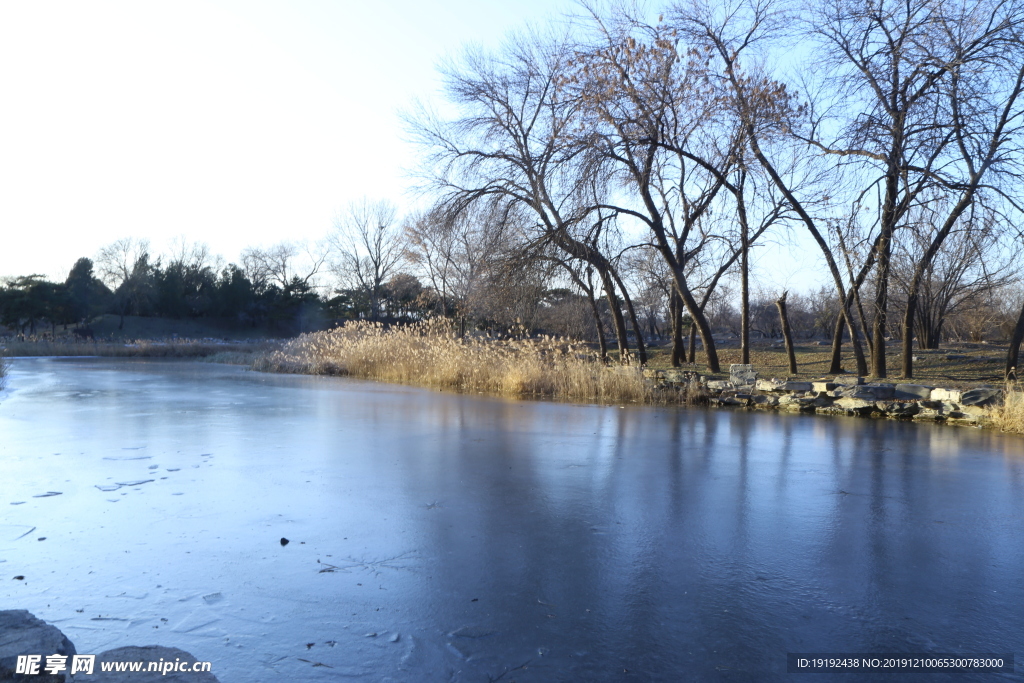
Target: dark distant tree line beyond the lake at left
<point>266,293</point>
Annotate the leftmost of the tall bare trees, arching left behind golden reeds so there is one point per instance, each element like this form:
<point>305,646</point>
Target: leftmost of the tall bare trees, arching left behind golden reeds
<point>513,150</point>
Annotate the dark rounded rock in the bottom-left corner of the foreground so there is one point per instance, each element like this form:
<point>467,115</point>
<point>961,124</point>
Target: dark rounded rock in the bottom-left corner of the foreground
<point>22,633</point>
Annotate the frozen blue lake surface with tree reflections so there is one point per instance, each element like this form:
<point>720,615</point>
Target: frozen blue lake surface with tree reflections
<point>446,538</point>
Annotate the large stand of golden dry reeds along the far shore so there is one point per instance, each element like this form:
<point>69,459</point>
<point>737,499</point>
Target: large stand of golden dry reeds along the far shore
<point>430,354</point>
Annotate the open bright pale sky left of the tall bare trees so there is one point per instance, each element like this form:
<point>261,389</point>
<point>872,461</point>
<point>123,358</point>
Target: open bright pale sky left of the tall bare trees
<point>232,122</point>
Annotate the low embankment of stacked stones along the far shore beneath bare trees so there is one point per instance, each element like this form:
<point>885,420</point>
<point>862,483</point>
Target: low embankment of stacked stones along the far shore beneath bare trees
<point>840,396</point>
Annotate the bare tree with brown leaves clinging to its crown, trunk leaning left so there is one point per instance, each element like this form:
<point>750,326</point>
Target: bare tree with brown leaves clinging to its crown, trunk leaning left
<point>650,121</point>
